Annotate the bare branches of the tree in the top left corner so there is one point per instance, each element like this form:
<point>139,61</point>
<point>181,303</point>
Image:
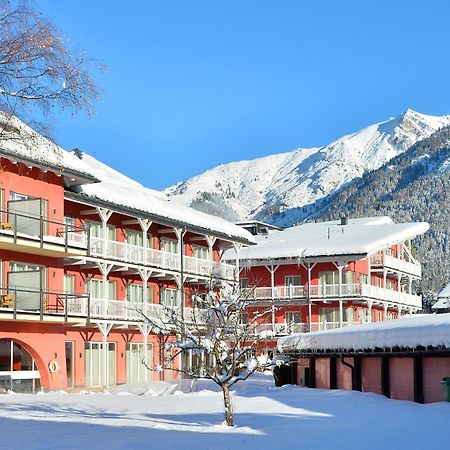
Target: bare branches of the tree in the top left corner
<point>38,72</point>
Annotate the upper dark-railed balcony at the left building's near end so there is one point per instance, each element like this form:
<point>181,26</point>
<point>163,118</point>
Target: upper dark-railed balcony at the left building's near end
<point>28,233</point>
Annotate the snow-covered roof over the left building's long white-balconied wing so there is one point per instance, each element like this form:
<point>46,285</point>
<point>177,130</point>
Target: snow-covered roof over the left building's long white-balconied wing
<point>117,189</point>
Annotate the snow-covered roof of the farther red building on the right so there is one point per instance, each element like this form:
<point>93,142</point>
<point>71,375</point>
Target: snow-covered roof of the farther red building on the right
<point>359,237</point>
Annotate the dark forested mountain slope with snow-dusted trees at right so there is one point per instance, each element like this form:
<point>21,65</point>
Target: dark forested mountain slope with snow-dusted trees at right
<point>412,187</point>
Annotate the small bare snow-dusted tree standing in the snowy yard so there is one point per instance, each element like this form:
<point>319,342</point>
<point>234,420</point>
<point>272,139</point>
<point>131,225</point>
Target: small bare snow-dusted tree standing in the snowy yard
<point>216,334</point>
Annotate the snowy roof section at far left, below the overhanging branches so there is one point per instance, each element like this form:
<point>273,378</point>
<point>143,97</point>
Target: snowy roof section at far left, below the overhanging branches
<point>20,142</point>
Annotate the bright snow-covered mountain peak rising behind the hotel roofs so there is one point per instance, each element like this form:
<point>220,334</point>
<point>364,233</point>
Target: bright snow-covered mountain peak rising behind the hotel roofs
<point>286,188</point>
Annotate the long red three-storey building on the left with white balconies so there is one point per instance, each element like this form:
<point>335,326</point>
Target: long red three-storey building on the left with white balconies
<point>83,250</point>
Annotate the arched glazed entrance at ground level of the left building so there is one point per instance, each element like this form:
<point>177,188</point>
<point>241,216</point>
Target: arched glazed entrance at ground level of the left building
<point>18,370</point>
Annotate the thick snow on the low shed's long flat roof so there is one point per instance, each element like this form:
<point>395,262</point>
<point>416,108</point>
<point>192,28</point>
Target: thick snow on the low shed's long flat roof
<point>407,332</point>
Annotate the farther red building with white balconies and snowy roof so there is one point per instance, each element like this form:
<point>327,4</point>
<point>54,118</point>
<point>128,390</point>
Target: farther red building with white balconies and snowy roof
<point>319,276</point>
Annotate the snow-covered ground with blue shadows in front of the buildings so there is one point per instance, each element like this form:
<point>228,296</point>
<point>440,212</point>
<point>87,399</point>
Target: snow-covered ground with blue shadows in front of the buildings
<point>163,417</point>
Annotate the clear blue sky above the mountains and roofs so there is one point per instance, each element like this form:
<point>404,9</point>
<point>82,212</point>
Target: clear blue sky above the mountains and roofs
<point>195,83</point>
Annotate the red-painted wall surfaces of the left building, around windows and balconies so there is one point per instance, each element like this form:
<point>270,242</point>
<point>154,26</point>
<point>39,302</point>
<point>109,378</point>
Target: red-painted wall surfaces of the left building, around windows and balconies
<point>45,341</point>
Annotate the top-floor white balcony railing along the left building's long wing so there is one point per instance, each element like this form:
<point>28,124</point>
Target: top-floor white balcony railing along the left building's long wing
<point>122,251</point>
